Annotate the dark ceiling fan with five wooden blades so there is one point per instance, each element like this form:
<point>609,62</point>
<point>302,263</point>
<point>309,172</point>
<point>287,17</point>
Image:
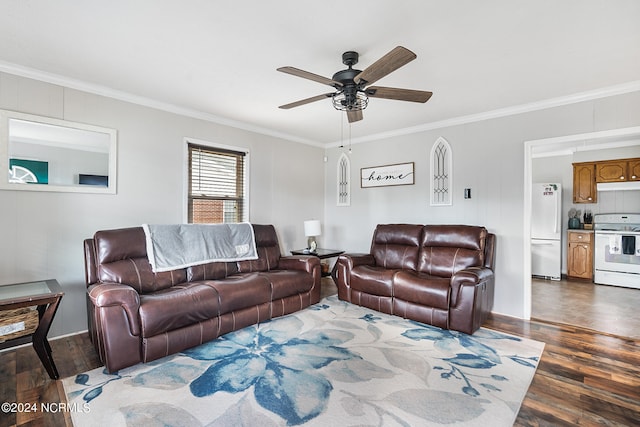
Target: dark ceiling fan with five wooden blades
<point>352,90</point>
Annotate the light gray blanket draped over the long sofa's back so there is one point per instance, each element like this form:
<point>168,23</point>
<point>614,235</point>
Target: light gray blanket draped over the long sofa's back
<point>174,246</point>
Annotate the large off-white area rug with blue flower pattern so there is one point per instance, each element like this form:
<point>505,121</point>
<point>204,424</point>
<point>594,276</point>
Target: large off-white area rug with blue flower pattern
<point>332,364</point>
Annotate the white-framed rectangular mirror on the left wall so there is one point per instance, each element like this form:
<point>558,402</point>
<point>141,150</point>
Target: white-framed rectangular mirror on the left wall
<point>45,154</point>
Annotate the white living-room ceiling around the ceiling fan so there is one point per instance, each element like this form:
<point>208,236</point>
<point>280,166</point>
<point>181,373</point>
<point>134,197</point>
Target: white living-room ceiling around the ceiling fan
<point>218,60</point>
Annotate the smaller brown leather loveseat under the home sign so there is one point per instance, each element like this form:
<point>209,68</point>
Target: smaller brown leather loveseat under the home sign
<point>441,275</point>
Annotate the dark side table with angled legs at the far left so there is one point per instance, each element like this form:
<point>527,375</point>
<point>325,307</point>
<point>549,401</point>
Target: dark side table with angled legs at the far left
<point>46,296</point>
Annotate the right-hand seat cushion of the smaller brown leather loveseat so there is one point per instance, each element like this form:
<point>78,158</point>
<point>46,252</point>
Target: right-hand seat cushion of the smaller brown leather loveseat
<point>422,289</point>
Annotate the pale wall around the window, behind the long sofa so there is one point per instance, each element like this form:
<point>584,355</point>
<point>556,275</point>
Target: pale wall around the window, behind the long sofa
<point>42,233</point>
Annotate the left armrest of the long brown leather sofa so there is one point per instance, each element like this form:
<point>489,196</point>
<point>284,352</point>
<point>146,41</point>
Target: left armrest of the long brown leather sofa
<point>104,295</point>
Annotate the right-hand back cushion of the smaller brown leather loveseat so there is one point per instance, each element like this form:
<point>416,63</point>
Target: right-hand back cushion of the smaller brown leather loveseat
<point>446,249</point>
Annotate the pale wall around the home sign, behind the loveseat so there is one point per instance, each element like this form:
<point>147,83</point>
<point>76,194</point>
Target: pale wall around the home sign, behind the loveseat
<point>488,157</point>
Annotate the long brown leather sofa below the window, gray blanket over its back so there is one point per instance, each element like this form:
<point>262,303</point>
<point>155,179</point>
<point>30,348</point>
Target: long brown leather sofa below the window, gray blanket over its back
<point>136,315</point>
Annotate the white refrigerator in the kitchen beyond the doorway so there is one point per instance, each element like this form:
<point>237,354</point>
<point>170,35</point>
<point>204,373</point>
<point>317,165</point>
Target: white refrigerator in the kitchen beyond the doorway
<point>546,230</point>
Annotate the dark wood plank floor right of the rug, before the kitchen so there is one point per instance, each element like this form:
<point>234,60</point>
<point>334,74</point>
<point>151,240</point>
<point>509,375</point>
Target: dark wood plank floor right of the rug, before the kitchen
<point>584,377</point>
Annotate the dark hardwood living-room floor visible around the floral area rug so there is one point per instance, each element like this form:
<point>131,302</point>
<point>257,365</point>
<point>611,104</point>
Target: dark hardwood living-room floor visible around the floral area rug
<point>584,377</point>
